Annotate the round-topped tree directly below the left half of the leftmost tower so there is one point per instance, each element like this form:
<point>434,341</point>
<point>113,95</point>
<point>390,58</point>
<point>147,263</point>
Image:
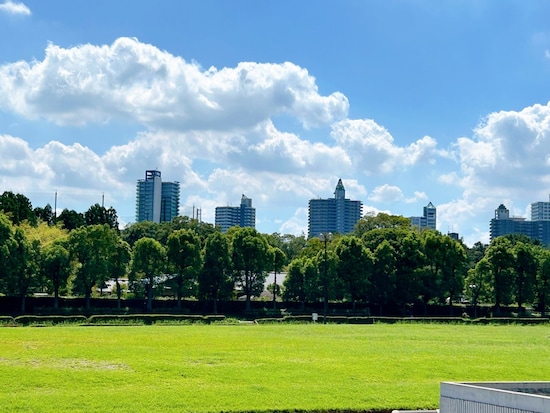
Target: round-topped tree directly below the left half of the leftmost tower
<point>148,263</point>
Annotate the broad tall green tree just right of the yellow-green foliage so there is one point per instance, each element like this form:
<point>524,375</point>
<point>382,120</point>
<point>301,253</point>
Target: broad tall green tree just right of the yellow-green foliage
<point>92,248</point>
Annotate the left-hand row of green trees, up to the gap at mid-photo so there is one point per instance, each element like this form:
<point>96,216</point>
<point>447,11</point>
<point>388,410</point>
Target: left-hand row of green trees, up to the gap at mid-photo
<point>78,262</point>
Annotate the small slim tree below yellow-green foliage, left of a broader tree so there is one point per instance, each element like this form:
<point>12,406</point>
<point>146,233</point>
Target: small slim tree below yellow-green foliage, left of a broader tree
<point>57,267</point>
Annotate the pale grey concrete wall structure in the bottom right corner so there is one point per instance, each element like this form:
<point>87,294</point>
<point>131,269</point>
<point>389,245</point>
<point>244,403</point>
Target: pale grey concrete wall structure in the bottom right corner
<point>497,397</point>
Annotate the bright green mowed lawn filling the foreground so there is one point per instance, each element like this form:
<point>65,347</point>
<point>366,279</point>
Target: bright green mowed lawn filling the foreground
<point>245,368</point>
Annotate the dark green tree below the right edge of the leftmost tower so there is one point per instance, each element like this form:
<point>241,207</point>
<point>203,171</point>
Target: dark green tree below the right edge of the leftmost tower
<point>184,255</point>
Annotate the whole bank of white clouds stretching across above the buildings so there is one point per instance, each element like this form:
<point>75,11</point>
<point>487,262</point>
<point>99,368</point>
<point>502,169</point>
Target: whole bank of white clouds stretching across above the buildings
<point>215,131</point>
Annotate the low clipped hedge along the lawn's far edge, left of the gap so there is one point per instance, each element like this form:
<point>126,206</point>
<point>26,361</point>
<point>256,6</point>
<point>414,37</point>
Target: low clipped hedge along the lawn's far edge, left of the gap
<point>109,319</point>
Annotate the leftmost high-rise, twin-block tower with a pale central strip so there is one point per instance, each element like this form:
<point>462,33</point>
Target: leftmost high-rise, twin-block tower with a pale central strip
<point>156,201</point>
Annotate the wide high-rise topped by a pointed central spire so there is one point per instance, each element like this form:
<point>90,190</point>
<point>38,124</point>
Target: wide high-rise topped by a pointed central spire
<point>337,215</point>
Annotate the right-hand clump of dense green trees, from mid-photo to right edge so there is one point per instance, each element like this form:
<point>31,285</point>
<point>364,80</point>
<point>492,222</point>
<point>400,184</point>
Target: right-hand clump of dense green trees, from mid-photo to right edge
<point>393,265</point>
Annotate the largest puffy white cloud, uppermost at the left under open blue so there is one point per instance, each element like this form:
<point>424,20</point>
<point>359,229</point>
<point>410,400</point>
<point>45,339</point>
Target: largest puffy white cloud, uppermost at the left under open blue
<point>134,81</point>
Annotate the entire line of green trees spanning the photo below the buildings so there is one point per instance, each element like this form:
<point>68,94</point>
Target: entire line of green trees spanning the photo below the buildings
<point>384,263</point>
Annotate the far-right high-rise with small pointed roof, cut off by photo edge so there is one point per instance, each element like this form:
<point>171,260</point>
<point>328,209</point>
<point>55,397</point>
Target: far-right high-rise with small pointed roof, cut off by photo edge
<point>536,229</point>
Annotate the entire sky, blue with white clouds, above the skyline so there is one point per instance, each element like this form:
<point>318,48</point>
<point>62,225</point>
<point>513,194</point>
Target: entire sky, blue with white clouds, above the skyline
<point>406,102</point>
